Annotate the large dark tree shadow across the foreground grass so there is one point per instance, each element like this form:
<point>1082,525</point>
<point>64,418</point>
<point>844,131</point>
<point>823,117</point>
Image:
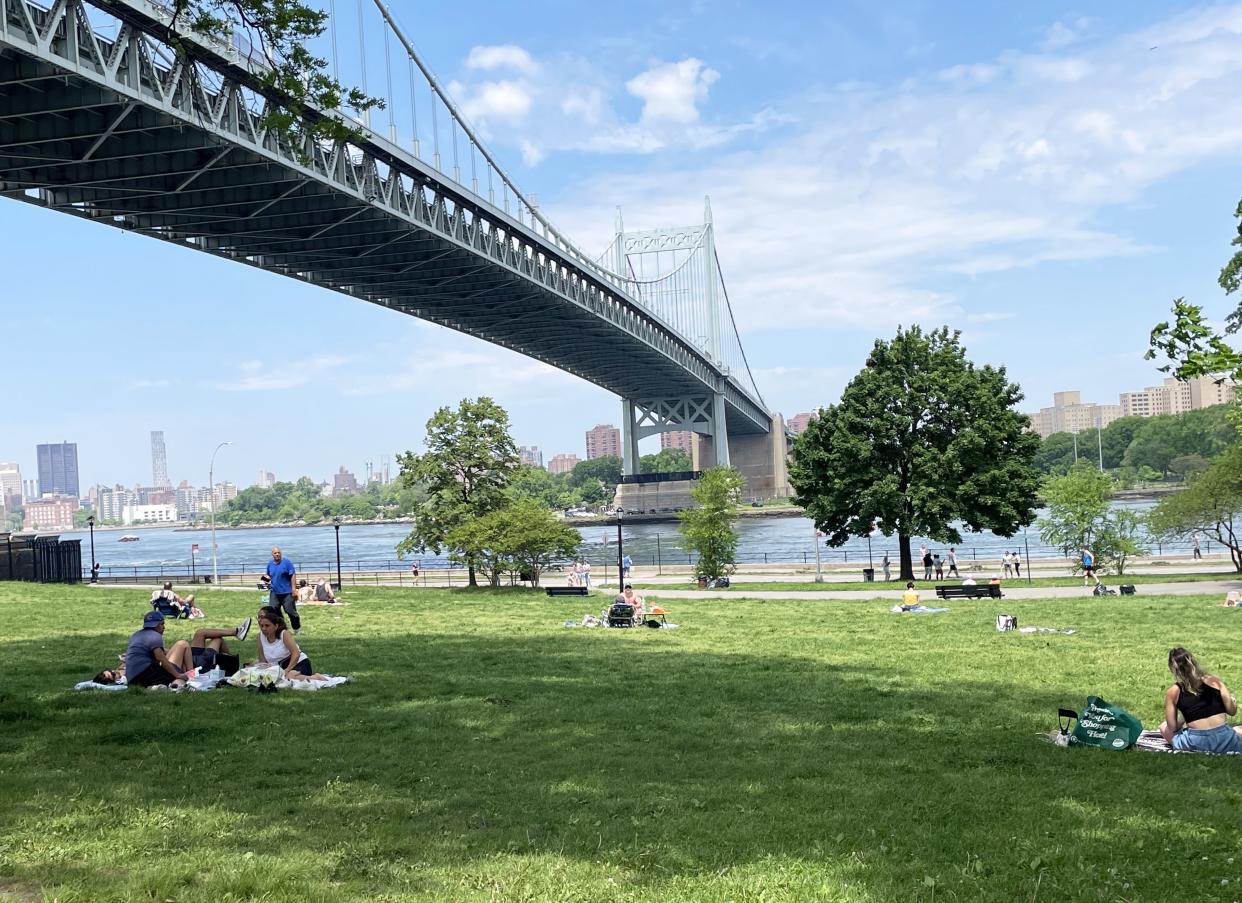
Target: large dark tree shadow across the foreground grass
<point>635,765</point>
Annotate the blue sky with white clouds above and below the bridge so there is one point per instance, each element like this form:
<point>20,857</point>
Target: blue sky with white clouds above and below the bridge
<point>1045,178</point>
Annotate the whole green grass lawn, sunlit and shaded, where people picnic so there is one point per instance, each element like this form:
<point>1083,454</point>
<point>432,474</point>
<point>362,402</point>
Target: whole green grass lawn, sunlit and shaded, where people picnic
<point>776,751</point>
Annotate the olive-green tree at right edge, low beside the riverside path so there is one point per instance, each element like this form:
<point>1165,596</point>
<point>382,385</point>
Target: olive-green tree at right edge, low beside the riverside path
<point>1212,505</point>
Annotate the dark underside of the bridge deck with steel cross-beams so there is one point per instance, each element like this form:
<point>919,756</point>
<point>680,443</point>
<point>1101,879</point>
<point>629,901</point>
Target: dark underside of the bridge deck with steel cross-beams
<point>96,155</point>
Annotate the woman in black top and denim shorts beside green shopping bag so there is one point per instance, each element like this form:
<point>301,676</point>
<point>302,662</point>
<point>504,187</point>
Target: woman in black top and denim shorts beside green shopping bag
<point>1198,709</point>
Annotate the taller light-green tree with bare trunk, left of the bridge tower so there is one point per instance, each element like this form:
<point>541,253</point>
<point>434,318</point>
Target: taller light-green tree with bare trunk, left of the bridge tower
<point>469,461</point>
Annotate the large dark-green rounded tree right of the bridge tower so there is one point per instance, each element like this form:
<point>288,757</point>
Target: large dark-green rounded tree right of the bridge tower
<point>922,442</point>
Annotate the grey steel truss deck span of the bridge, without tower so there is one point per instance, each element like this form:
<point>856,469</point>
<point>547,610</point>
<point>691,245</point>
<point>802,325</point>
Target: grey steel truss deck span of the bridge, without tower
<point>125,130</point>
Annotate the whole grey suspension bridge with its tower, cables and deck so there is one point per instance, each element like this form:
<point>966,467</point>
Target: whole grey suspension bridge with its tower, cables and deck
<point>112,112</point>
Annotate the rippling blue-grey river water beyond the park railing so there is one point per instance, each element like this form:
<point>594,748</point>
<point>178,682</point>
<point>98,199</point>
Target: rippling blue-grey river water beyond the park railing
<point>367,547</point>
